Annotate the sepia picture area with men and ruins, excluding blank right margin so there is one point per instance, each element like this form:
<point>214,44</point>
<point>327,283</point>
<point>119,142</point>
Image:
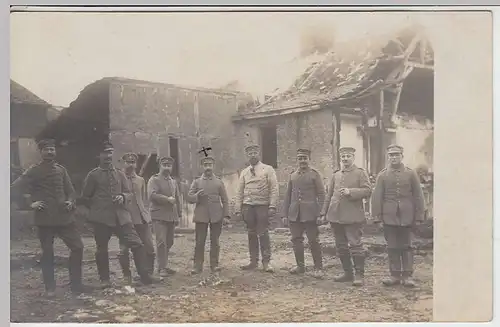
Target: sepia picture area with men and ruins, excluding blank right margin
<point>221,167</point>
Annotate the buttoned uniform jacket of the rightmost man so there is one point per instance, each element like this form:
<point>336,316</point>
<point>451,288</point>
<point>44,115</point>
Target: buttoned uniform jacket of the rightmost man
<point>397,197</point>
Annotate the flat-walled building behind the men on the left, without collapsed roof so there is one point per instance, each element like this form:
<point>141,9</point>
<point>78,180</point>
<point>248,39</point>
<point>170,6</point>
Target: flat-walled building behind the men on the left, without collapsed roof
<point>152,120</point>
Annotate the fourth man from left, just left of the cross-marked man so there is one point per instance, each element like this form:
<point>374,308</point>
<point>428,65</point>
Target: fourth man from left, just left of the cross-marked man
<point>165,209</point>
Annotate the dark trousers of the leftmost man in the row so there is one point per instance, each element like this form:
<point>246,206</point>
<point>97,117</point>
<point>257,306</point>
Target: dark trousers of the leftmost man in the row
<point>70,236</point>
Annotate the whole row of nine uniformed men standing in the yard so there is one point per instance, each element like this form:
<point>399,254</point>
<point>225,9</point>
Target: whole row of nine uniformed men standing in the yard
<point>120,202</point>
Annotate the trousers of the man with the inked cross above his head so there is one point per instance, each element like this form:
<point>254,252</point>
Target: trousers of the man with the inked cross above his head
<point>201,230</point>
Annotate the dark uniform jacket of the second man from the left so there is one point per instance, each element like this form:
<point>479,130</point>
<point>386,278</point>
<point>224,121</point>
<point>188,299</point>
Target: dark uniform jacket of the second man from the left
<point>99,187</point>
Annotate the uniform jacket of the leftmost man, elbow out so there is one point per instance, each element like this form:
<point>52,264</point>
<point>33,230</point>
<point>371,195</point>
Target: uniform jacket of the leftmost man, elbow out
<point>50,183</point>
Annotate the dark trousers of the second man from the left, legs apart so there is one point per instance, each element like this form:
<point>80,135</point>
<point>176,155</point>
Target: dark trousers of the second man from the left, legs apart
<point>128,236</point>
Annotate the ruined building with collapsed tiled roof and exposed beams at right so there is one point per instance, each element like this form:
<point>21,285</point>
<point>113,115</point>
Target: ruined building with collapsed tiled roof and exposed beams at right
<point>366,94</point>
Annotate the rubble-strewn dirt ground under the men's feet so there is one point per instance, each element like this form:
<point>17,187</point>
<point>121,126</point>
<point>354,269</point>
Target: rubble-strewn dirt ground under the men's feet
<point>231,296</point>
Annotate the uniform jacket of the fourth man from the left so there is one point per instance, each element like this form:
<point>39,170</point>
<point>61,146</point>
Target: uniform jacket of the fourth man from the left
<point>159,189</point>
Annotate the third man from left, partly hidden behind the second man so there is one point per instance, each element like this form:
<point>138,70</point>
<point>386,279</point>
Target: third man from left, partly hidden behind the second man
<point>140,217</point>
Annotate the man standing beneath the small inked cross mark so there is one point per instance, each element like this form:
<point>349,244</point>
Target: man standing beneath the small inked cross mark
<point>210,196</point>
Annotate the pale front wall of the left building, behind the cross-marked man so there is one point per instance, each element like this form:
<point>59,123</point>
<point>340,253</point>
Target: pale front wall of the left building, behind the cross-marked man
<point>144,116</point>
